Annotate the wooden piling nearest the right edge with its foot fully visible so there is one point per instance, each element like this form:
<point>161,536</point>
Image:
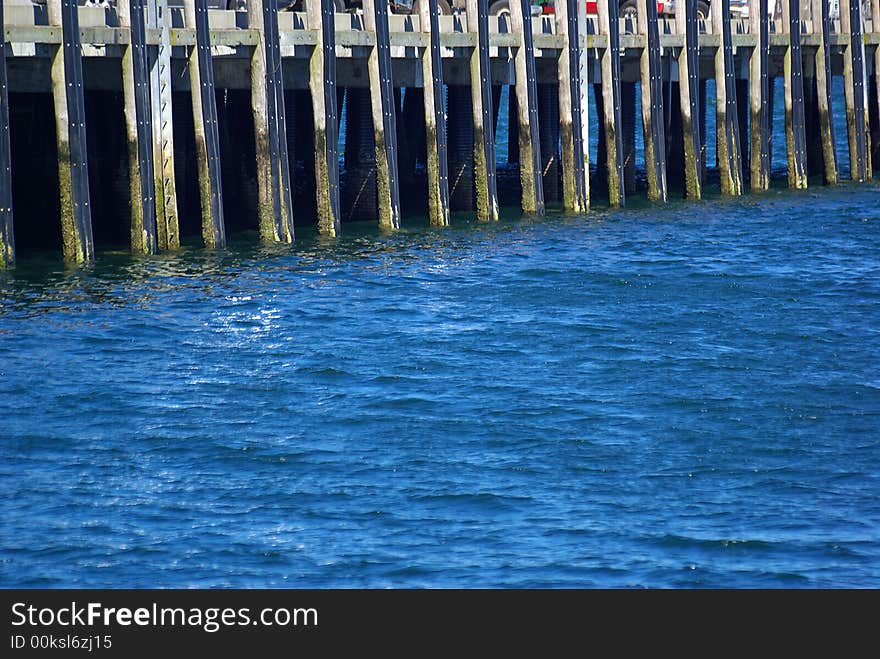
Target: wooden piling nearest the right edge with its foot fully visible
<point>858,130</point>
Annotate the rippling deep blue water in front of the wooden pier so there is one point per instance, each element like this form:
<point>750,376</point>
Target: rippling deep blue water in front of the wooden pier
<point>676,396</point>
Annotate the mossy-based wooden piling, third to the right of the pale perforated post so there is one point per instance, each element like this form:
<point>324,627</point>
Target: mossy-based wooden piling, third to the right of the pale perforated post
<point>322,85</point>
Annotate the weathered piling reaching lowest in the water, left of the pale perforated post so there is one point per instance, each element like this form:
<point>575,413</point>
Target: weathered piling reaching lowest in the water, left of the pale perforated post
<point>70,134</point>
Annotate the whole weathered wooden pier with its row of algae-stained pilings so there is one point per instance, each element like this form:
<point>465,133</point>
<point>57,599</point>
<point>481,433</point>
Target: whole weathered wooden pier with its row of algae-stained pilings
<point>209,100</point>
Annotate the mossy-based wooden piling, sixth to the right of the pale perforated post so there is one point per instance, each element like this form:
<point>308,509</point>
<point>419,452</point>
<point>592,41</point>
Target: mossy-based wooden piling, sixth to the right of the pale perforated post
<point>485,189</point>
